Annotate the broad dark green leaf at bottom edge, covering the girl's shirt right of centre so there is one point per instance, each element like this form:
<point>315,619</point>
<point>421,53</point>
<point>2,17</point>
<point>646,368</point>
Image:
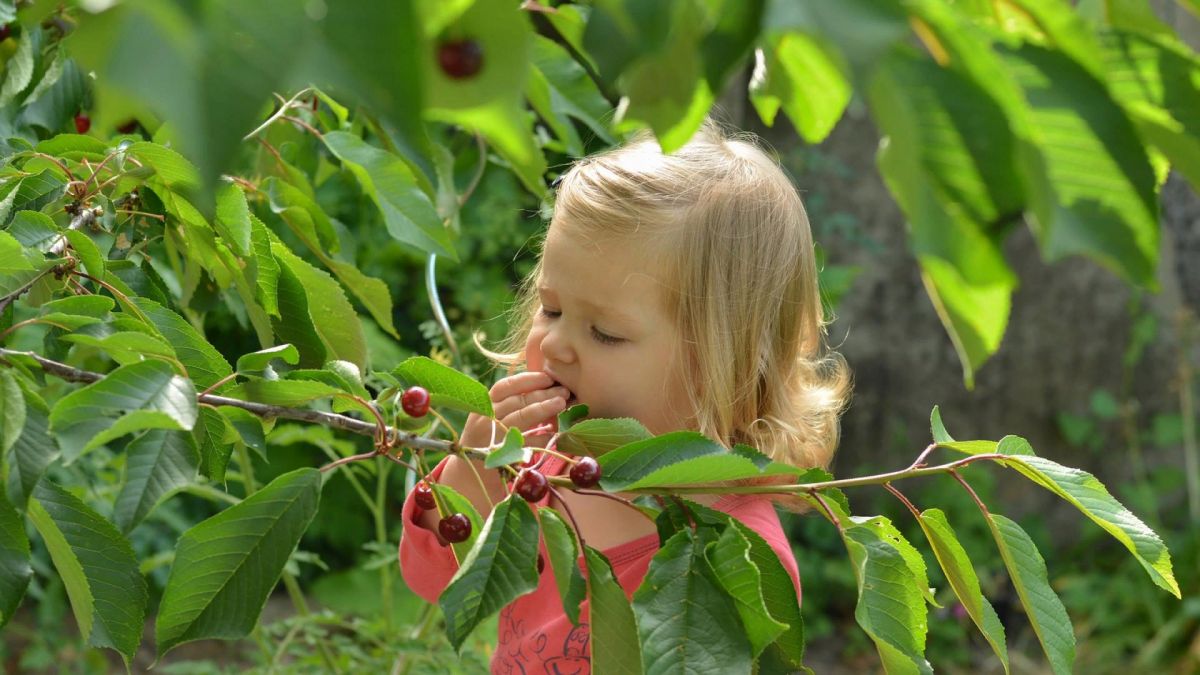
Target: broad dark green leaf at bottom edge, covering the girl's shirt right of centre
<point>686,620</point>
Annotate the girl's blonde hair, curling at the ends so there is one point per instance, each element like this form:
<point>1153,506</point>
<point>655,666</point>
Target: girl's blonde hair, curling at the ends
<point>741,279</point>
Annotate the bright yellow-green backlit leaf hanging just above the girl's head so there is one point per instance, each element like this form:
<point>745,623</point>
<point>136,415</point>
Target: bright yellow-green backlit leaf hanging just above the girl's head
<point>801,74</point>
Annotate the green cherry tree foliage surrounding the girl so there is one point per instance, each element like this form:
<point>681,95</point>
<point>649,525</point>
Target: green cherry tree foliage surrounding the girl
<point>136,267</point>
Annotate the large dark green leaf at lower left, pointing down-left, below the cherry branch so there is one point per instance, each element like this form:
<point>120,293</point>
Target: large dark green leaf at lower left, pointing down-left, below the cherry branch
<point>226,568</point>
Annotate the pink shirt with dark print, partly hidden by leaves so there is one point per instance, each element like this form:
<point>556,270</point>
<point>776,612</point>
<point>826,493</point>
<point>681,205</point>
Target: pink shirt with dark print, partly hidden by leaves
<point>536,637</point>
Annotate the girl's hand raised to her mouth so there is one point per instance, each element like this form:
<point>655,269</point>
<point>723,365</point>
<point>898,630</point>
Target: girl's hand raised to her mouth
<point>524,401</point>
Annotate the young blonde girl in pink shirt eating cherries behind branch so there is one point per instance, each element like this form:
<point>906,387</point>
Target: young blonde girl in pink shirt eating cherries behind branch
<point>679,290</point>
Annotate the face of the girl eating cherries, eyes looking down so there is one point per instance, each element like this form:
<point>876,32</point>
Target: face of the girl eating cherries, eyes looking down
<point>603,332</point>
